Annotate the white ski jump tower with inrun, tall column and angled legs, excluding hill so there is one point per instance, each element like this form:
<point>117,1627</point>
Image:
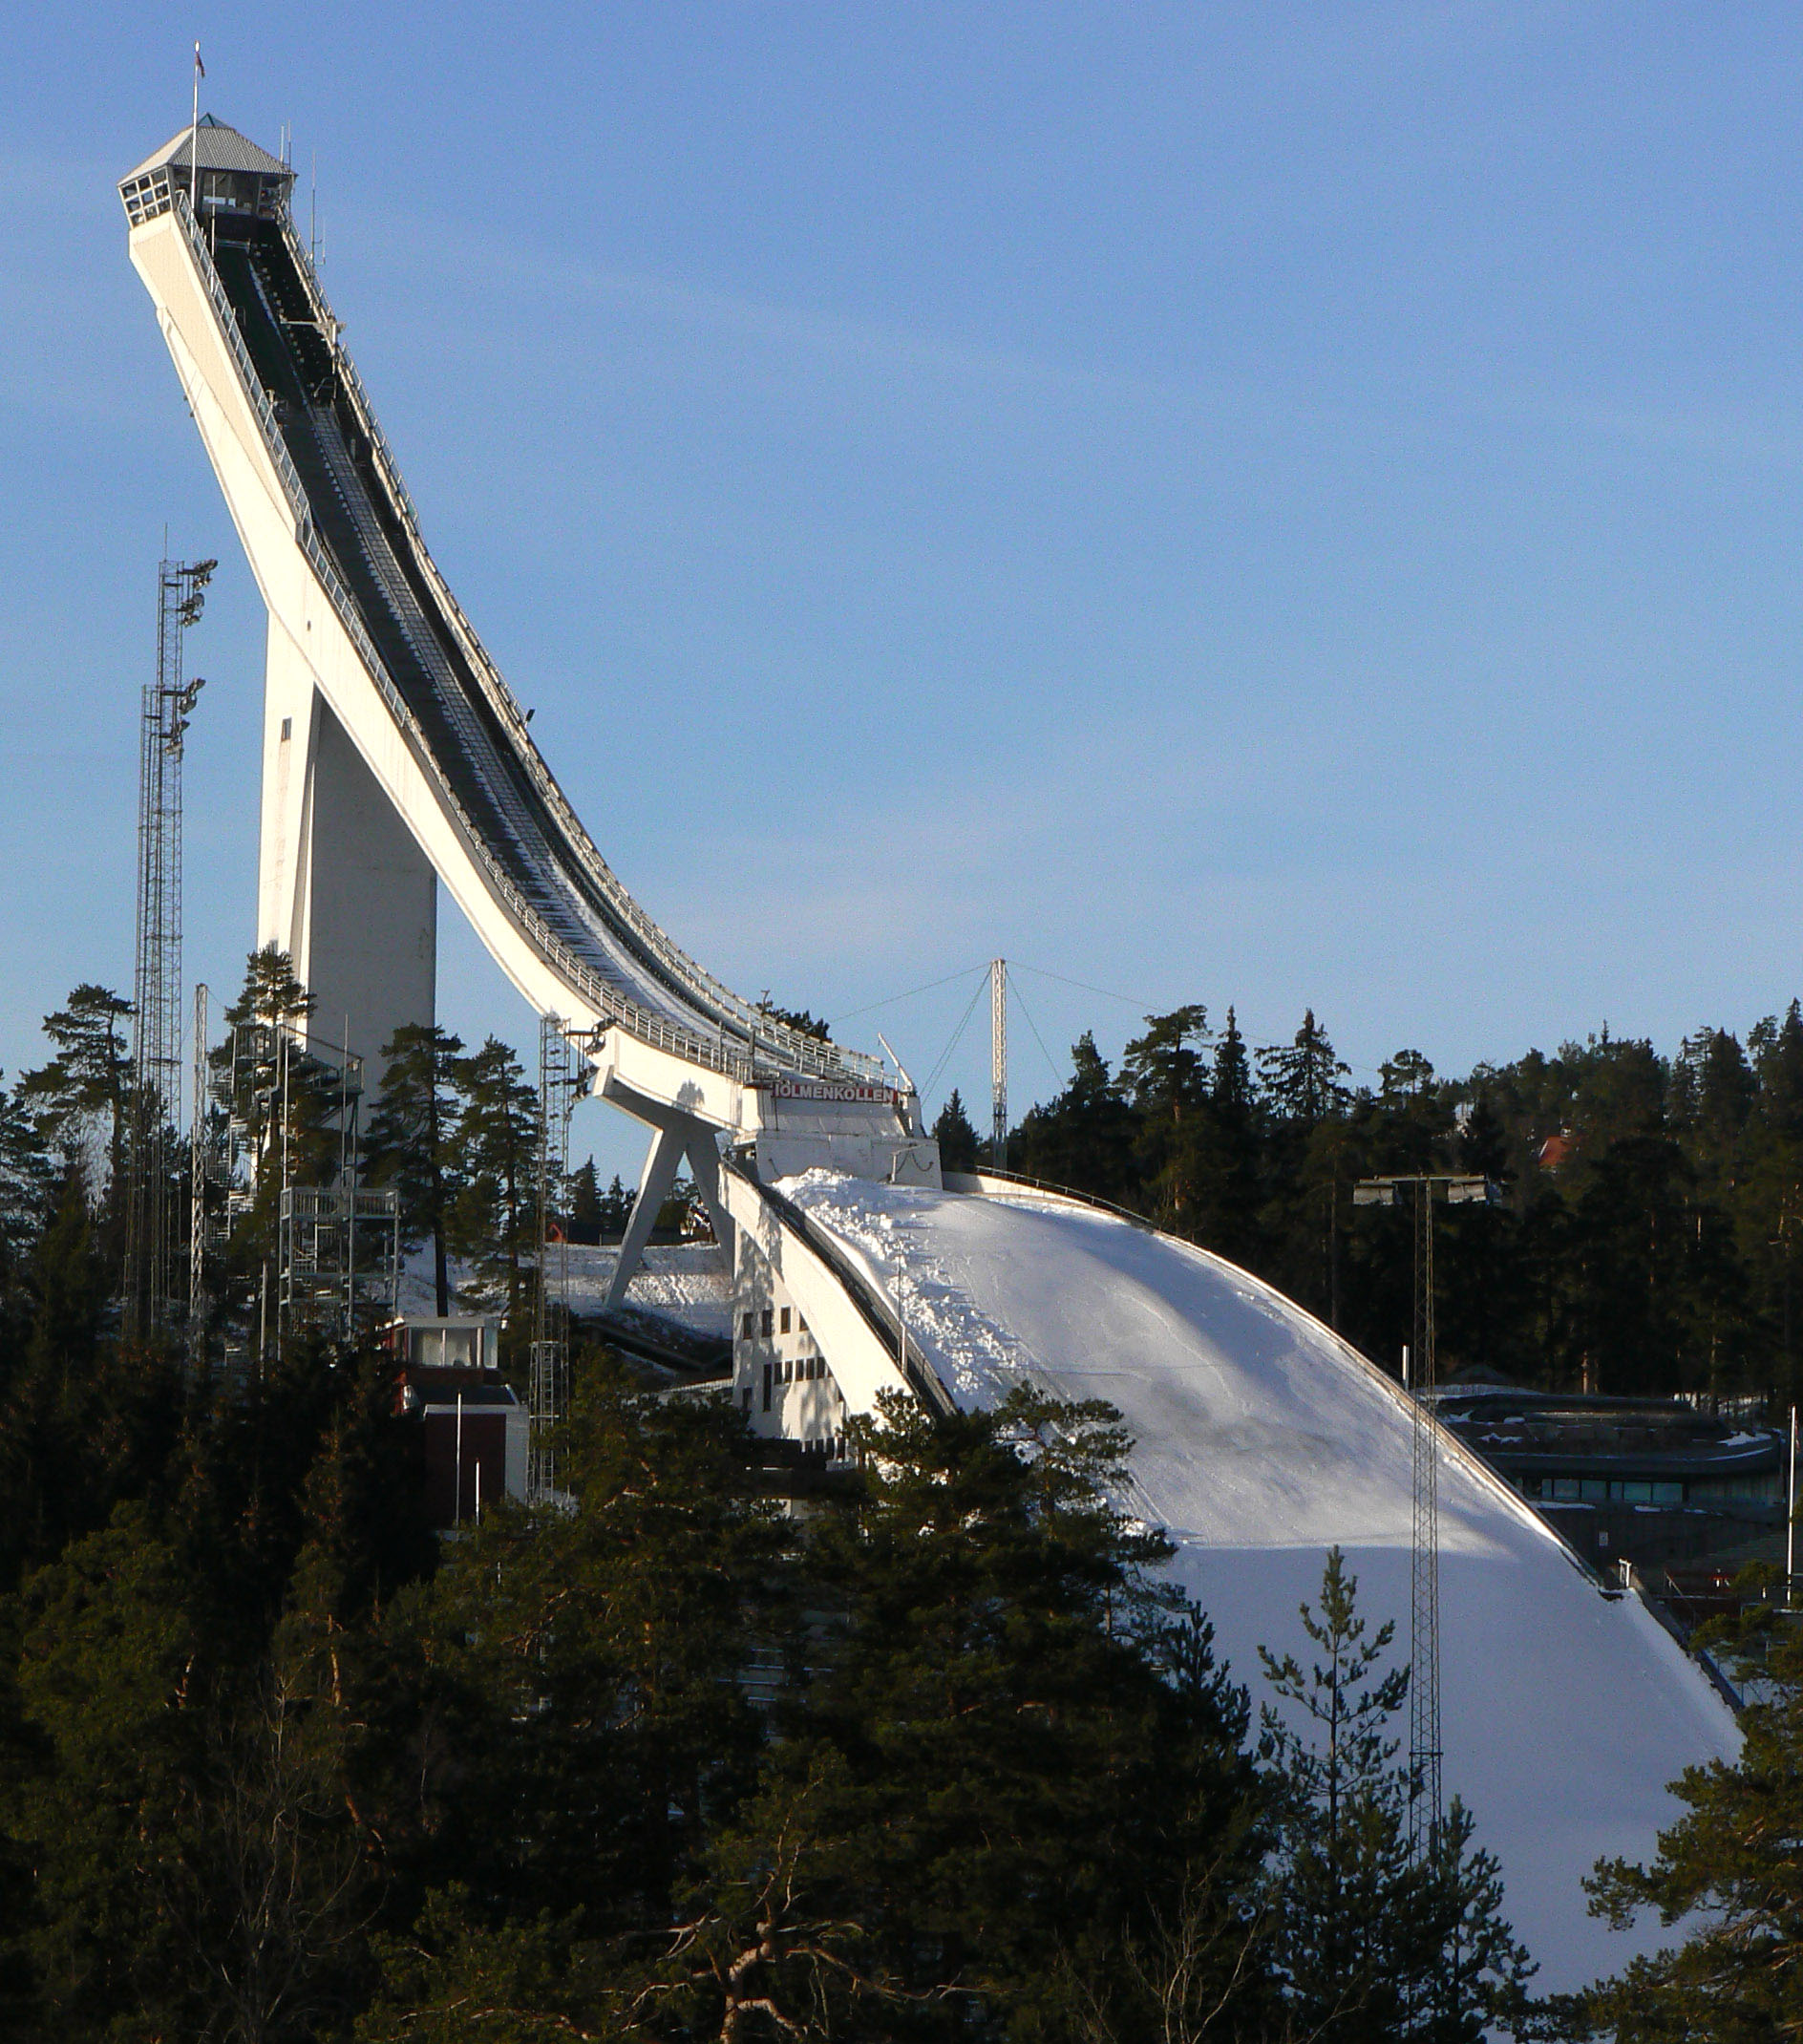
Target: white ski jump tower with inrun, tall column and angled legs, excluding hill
<point>398,761</point>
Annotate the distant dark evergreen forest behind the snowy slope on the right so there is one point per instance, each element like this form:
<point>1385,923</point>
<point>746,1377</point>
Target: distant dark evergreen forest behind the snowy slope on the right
<point>1651,1207</point>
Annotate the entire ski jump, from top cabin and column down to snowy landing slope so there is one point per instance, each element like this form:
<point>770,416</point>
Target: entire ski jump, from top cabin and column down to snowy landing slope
<point>396,759</point>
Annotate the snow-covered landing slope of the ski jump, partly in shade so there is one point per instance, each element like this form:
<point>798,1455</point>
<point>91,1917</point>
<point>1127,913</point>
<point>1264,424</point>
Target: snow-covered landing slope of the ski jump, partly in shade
<point>1262,1442</point>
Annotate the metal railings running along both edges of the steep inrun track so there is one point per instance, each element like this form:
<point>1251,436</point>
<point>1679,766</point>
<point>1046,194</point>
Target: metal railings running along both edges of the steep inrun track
<point>606,1001</point>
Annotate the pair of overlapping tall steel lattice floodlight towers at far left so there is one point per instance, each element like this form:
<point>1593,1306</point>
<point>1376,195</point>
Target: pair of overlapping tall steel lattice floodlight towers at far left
<point>152,1242</point>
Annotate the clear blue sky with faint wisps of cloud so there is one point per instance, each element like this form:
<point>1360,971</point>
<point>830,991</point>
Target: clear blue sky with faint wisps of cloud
<point>1273,504</point>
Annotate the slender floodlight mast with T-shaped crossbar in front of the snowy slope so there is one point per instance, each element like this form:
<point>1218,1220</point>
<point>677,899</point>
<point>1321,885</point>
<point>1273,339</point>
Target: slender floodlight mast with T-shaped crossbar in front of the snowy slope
<point>1461,1189</point>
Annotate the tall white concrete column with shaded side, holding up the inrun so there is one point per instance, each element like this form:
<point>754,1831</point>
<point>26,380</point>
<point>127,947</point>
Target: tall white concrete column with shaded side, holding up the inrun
<point>342,886</point>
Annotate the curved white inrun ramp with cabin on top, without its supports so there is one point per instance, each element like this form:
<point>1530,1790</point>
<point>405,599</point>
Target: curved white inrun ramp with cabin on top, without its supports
<point>361,614</point>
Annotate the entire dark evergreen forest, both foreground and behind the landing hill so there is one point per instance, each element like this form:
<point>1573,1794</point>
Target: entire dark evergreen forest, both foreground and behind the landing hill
<point>941,1757</point>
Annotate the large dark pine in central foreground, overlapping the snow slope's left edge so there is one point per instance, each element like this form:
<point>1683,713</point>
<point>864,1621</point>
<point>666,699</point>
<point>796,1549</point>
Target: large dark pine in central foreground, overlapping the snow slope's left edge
<point>1025,1769</point>
